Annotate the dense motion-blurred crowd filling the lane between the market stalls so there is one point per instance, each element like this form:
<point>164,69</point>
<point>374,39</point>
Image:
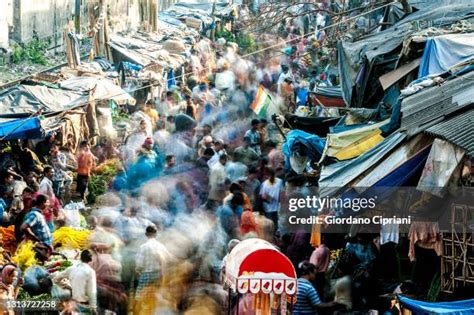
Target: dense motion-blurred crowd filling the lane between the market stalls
<point>200,170</point>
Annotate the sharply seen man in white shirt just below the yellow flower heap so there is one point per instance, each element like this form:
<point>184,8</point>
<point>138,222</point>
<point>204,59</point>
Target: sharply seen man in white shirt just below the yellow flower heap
<point>83,283</point>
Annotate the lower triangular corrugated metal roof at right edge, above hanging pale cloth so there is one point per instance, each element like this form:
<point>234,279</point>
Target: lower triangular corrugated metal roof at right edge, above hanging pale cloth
<point>458,130</point>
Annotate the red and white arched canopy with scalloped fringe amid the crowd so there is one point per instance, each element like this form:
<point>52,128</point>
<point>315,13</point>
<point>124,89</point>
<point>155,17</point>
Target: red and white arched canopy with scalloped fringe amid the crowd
<point>255,267</point>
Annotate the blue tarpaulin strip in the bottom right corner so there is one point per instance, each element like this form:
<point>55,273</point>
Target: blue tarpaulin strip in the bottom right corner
<point>465,307</point>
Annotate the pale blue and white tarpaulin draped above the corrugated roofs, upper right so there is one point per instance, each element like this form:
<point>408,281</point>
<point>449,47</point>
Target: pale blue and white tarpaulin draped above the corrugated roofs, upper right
<point>443,52</point>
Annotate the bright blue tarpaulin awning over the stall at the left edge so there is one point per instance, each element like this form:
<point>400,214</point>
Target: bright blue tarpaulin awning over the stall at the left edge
<point>26,128</point>
